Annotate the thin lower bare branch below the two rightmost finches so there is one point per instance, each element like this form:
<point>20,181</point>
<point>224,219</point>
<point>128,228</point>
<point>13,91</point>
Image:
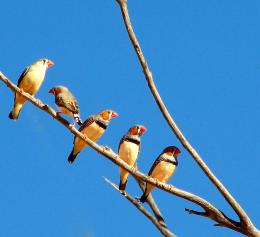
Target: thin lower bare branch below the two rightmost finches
<point>163,229</point>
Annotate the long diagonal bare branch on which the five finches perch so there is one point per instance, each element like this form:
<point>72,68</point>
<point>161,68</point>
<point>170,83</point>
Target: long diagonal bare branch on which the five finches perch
<point>215,214</point>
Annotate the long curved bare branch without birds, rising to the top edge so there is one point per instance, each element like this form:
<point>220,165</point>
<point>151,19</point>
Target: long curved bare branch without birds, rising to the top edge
<point>245,220</point>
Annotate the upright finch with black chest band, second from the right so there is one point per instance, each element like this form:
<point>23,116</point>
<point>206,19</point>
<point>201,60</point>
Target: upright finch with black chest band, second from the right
<point>128,150</point>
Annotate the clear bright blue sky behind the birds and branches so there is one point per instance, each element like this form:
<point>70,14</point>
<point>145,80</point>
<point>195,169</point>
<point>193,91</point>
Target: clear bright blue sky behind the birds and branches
<point>205,58</point>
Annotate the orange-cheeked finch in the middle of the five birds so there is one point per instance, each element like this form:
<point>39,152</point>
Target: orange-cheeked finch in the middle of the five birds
<point>93,128</point>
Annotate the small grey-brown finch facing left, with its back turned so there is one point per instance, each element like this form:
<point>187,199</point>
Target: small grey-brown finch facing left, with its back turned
<point>66,103</point>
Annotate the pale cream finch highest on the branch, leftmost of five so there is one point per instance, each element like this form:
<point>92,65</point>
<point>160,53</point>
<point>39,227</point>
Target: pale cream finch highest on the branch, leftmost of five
<point>30,82</point>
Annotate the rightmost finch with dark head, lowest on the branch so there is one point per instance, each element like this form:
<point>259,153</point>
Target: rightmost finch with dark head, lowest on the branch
<point>162,169</point>
